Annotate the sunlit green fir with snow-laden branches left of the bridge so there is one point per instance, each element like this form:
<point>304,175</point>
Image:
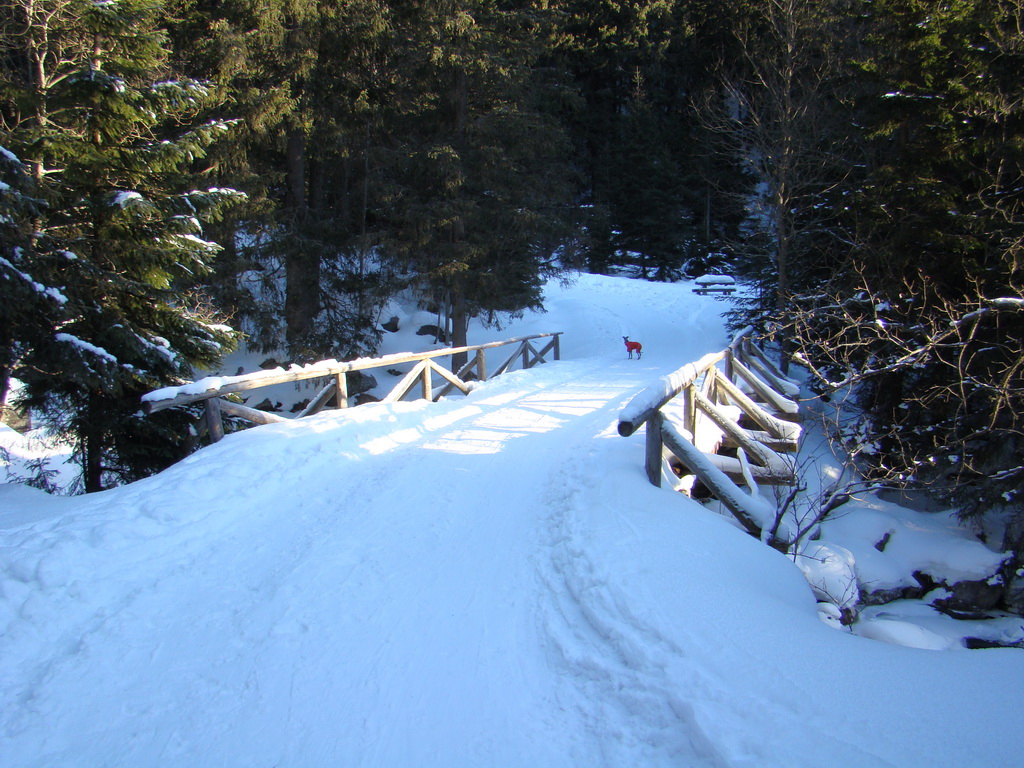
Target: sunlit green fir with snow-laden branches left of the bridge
<point>115,145</point>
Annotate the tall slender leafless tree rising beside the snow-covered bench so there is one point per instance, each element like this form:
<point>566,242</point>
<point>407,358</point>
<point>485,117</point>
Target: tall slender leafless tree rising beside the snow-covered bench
<point>778,113</point>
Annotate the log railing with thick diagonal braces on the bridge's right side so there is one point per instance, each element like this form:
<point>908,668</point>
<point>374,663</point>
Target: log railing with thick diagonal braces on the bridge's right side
<point>721,425</point>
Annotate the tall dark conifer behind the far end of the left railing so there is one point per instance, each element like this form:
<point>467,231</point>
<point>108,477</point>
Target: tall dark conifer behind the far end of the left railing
<point>486,194</point>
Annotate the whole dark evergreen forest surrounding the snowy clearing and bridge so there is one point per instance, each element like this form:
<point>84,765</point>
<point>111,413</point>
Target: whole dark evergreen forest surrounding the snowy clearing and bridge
<point>182,177</point>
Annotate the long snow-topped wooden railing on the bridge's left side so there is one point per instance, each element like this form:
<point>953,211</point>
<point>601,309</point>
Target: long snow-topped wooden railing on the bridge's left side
<point>212,391</point>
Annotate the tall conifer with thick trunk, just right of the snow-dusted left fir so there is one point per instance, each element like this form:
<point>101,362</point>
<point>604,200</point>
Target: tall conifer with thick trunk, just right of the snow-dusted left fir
<point>314,86</point>
